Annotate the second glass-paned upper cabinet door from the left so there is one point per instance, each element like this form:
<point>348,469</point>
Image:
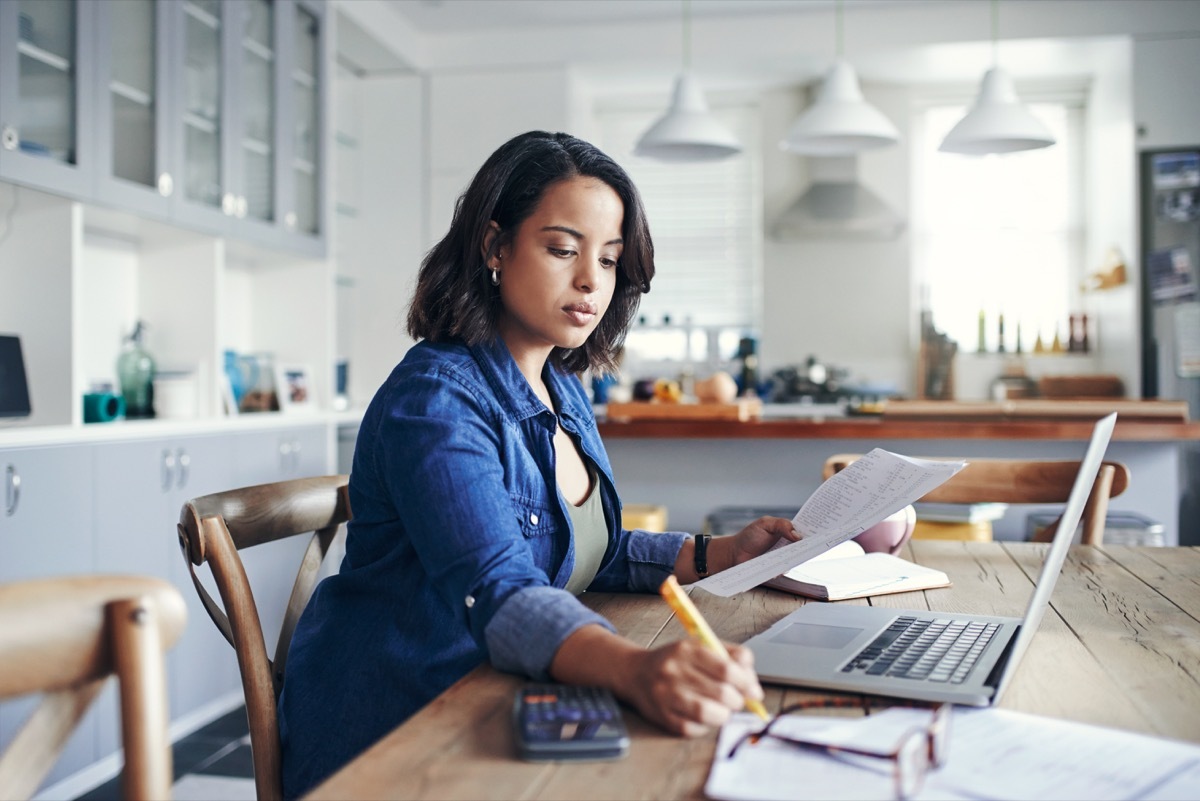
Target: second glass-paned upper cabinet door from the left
<point>133,134</point>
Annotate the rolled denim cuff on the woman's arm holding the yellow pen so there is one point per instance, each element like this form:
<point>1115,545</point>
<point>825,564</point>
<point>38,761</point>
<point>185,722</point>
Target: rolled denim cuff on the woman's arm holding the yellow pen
<point>526,633</point>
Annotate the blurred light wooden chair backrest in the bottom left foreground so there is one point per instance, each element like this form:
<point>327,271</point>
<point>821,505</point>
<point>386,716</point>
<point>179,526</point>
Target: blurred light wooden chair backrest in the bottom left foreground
<point>64,637</point>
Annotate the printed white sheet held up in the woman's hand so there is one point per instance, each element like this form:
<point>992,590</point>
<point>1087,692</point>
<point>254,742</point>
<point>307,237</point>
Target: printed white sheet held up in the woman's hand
<point>849,503</point>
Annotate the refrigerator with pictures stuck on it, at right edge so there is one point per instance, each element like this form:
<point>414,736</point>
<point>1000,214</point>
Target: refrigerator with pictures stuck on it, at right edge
<point>1171,302</point>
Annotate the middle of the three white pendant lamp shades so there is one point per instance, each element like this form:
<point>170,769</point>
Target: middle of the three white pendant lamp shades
<point>841,123</point>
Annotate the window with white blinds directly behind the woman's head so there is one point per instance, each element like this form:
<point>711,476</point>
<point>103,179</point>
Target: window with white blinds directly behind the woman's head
<point>706,220</point>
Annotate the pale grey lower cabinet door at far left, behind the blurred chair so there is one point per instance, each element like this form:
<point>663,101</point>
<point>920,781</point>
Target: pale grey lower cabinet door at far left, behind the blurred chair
<point>46,531</point>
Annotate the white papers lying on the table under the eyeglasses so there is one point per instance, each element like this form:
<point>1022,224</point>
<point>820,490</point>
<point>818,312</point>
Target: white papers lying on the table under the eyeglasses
<point>993,755</point>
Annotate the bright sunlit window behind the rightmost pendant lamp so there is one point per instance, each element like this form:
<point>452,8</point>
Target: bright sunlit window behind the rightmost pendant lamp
<point>1000,234</point>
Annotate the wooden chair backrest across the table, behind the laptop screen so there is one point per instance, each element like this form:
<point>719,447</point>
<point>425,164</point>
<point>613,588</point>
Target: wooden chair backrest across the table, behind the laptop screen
<point>1024,481</point>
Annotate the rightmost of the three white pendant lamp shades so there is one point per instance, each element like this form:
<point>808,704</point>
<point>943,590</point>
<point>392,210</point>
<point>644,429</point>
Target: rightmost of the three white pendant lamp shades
<point>998,123</point>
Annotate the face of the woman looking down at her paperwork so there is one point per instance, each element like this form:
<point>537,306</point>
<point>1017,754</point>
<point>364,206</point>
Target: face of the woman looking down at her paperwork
<point>560,270</point>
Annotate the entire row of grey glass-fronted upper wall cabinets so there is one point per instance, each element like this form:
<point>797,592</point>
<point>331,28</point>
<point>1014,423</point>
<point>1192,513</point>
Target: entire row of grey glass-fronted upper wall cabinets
<point>209,115</point>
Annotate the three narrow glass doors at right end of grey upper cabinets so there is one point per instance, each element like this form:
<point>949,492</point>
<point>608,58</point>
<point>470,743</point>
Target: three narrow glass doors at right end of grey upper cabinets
<point>249,130</point>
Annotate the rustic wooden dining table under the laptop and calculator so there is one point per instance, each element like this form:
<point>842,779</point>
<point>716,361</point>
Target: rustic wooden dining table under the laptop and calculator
<point>1119,648</point>
